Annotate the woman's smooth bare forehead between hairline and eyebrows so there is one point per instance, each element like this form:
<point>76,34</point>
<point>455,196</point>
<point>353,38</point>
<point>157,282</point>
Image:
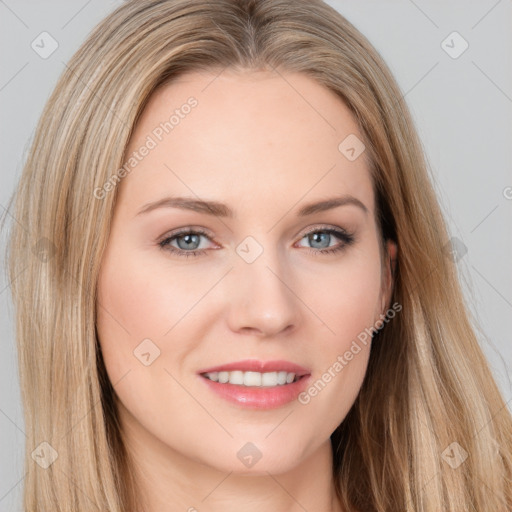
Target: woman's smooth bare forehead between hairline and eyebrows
<point>240,135</point>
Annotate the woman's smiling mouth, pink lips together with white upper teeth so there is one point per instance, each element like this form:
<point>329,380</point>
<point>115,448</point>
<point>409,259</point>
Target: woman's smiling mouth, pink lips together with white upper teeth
<point>257,384</point>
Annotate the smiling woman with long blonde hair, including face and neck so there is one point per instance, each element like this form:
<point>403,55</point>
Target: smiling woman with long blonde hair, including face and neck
<point>186,339</point>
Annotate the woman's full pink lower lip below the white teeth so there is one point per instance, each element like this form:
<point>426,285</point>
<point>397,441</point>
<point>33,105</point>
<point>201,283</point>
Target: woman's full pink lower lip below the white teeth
<point>258,397</point>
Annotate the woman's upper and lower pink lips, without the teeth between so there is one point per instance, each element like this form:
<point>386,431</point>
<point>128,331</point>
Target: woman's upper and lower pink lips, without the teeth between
<point>259,397</point>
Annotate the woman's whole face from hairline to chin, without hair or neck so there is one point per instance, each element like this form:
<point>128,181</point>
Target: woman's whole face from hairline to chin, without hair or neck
<point>262,276</point>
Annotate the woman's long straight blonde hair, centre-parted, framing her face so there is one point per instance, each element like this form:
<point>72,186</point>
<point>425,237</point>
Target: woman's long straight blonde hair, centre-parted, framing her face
<point>428,384</point>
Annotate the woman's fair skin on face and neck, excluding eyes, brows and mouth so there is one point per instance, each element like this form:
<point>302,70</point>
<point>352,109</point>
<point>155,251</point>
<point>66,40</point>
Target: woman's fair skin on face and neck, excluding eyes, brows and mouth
<point>264,144</point>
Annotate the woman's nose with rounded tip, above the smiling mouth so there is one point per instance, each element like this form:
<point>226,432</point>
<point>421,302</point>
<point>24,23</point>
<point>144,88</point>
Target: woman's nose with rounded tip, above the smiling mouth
<point>261,298</point>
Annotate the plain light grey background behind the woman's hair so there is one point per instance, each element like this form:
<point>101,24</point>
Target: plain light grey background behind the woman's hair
<point>462,107</point>
